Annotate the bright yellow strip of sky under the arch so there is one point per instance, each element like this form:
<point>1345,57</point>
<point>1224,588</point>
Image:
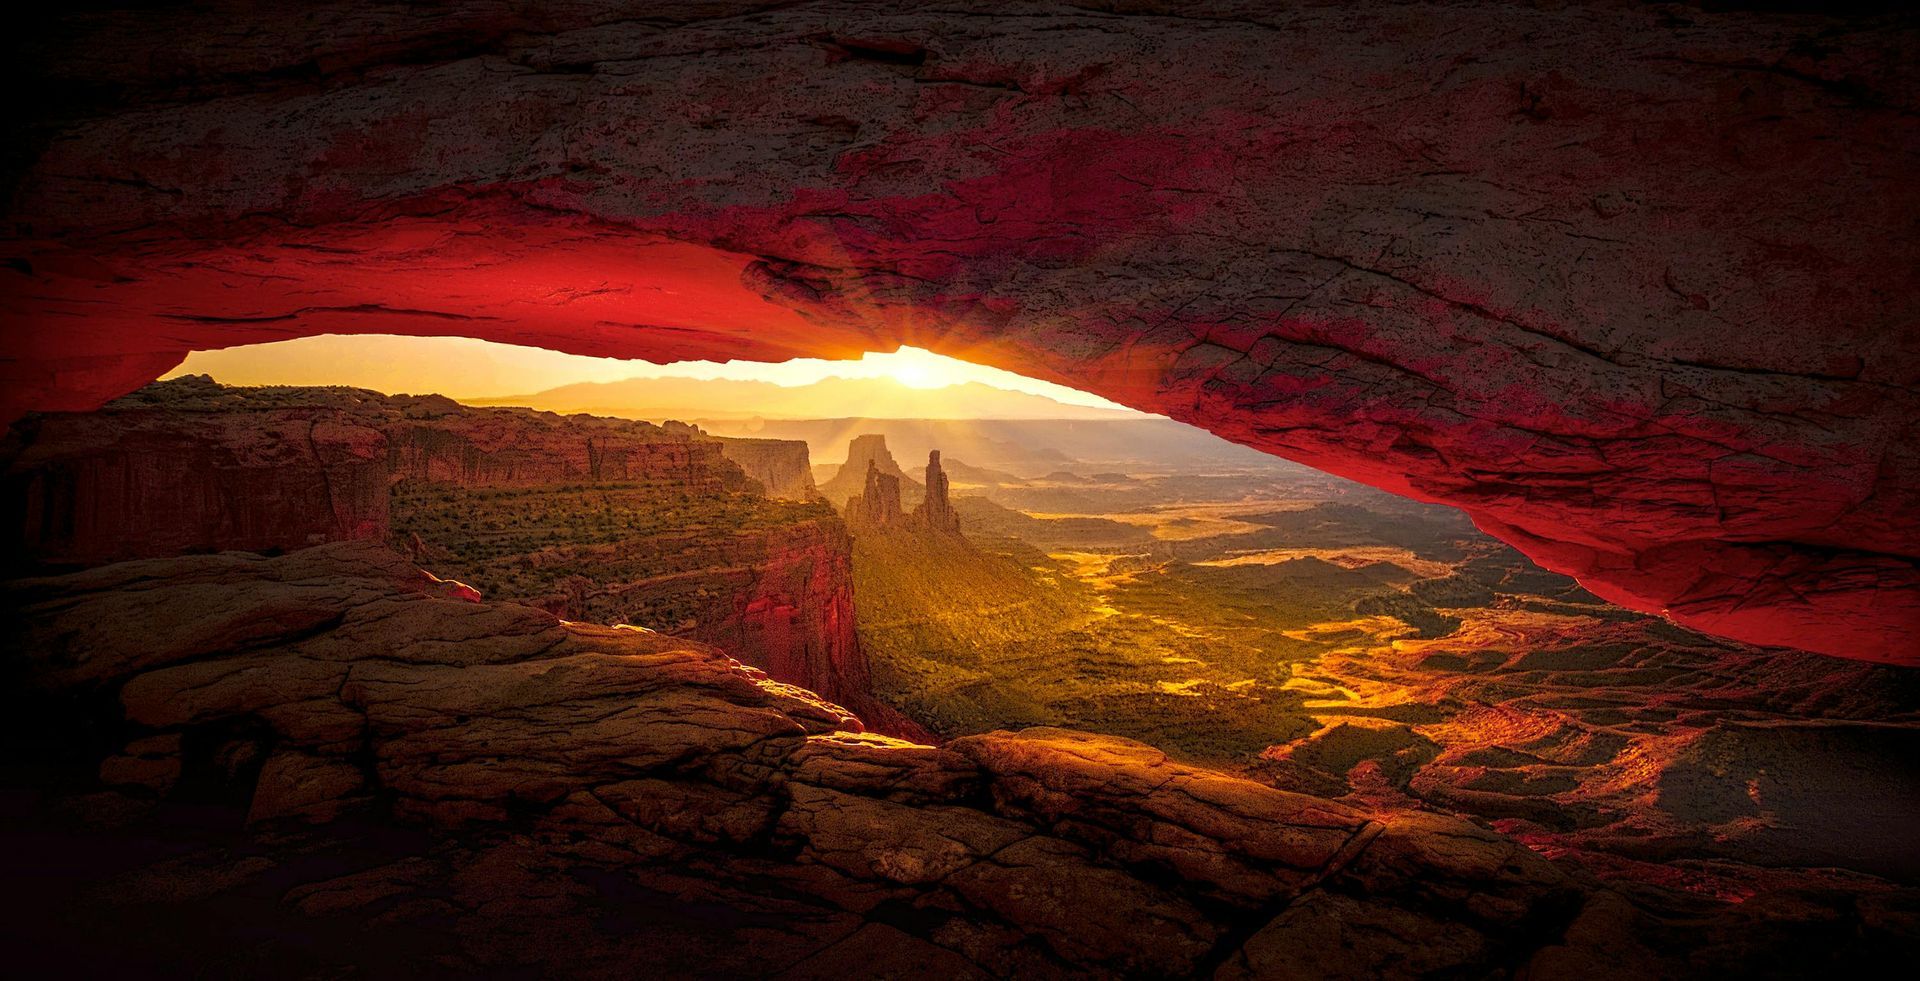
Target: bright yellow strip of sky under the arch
<point>475,370</point>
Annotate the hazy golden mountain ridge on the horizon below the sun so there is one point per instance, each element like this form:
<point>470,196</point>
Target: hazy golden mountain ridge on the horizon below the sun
<point>873,398</point>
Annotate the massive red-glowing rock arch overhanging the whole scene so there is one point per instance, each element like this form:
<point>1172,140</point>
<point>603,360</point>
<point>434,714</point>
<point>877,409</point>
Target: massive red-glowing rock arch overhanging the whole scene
<point>1635,287</point>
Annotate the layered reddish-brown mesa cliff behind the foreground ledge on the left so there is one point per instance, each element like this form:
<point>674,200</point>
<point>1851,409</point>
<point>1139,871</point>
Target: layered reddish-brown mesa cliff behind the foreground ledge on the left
<point>592,519</point>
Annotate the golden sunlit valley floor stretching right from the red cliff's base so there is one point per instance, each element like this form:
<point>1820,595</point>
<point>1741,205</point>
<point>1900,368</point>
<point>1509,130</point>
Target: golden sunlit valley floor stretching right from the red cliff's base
<point>1385,654</point>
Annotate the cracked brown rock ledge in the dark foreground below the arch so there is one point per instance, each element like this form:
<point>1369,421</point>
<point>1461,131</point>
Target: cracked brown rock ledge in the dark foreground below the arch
<point>613,802</point>
